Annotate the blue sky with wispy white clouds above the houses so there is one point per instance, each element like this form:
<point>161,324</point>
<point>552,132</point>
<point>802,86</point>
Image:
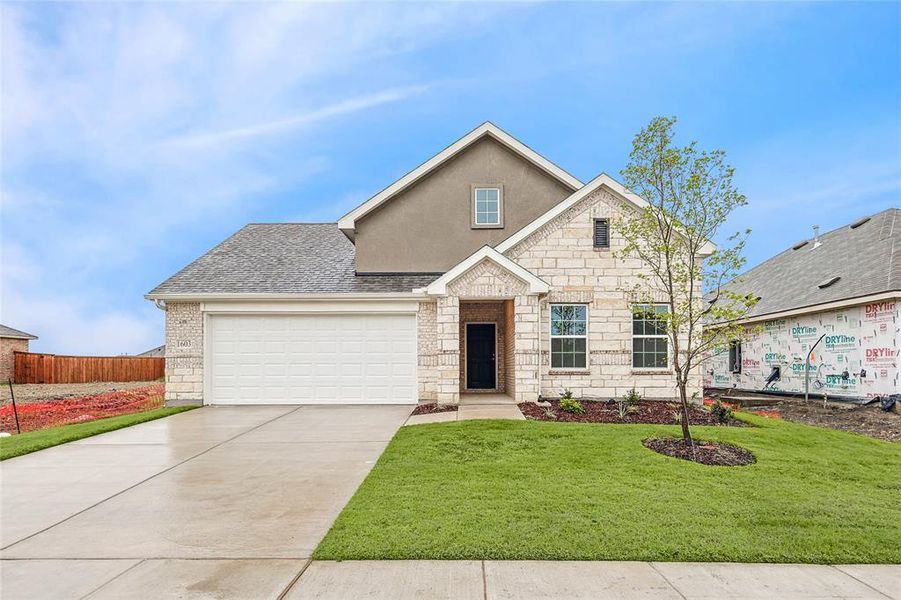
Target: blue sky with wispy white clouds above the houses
<point>136,136</point>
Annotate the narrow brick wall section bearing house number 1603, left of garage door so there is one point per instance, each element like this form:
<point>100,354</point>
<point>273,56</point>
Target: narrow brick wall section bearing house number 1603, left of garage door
<point>184,353</point>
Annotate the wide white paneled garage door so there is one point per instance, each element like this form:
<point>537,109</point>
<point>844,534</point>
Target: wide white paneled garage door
<point>312,359</point>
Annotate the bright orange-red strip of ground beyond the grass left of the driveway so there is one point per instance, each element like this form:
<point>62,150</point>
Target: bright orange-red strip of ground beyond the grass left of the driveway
<point>40,415</point>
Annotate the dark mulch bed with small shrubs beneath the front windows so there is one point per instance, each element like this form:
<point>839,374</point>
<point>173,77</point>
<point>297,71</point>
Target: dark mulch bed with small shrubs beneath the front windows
<point>646,412</point>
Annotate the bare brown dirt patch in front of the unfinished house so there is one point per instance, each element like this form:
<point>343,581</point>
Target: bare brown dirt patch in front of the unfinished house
<point>869,420</point>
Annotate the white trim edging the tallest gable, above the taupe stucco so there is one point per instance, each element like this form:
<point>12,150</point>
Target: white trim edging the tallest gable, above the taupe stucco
<point>347,222</point>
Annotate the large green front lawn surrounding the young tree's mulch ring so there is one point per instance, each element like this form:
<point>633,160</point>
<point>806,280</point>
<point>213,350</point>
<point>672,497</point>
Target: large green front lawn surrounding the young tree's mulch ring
<point>538,490</point>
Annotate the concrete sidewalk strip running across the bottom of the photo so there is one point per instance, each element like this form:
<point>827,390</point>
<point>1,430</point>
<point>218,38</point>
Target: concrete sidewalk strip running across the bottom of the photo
<point>278,579</point>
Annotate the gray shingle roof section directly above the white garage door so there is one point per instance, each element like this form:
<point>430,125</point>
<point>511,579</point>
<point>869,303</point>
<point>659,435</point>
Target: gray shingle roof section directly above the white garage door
<point>286,258</point>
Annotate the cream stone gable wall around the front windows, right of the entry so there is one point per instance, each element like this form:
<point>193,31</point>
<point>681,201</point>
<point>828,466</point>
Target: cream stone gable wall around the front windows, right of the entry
<point>562,253</point>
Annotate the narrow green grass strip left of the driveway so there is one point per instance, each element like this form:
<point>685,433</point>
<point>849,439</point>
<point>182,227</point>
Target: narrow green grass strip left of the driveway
<point>33,441</point>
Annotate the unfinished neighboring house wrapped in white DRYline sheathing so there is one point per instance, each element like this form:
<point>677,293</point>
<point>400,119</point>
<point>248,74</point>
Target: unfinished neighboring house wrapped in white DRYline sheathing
<point>835,297</point>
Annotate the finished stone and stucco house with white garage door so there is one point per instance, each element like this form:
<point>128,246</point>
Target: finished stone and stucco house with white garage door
<point>487,269</point>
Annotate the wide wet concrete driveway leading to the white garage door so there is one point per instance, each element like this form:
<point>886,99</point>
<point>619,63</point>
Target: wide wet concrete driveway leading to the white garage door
<point>218,502</point>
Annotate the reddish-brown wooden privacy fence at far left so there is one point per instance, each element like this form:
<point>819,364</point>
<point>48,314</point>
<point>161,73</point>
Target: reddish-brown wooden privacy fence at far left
<point>32,367</point>
